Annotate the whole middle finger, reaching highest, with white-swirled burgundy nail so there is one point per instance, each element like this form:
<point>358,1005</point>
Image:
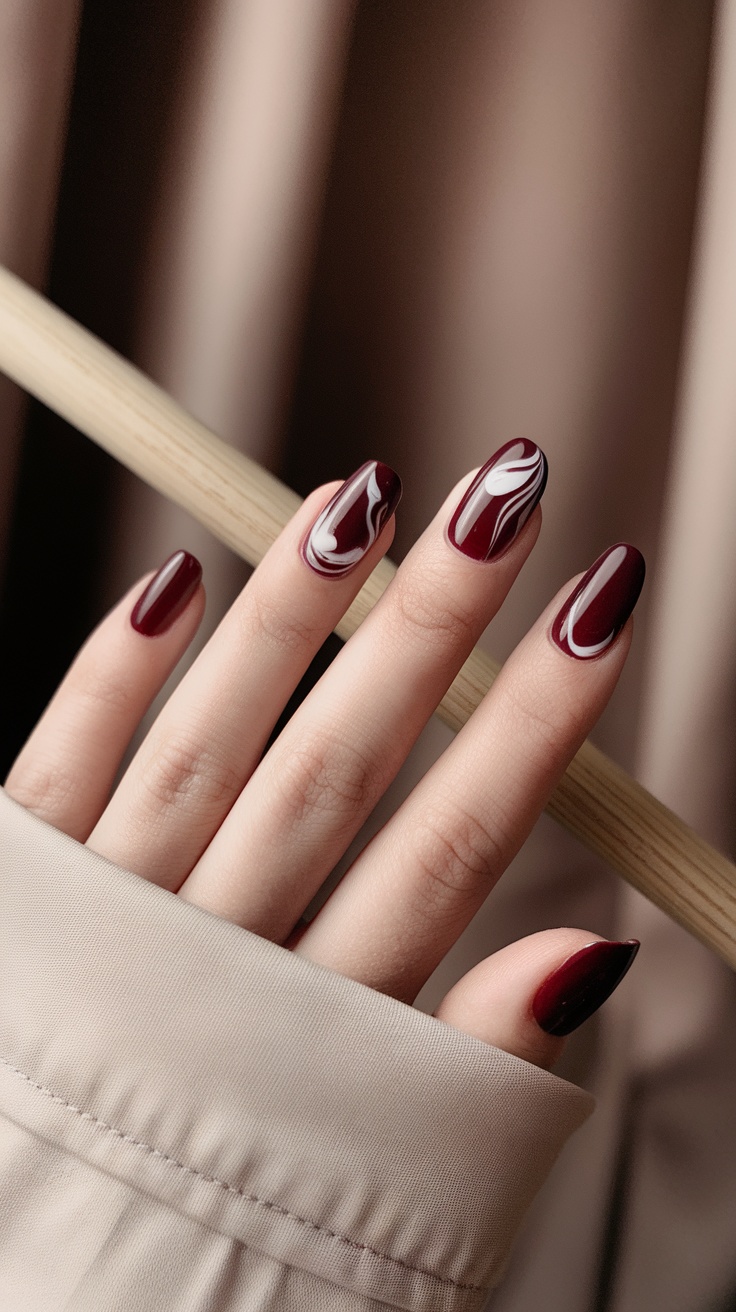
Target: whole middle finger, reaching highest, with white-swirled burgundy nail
<point>340,751</point>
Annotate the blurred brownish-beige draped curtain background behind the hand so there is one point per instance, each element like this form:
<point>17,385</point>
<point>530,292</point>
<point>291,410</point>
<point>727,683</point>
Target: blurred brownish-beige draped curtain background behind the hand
<point>414,232</point>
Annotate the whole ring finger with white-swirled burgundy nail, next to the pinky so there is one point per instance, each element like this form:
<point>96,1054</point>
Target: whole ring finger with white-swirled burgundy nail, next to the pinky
<point>212,733</point>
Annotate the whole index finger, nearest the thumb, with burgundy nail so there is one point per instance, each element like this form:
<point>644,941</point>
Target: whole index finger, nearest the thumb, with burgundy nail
<point>417,886</point>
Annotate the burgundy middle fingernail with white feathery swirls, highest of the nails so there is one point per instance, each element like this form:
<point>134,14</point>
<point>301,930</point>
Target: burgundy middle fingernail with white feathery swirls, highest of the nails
<point>499,501</point>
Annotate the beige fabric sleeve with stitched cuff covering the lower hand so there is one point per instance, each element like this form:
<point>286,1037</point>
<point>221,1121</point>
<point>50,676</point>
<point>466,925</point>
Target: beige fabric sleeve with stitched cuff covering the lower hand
<point>194,1118</point>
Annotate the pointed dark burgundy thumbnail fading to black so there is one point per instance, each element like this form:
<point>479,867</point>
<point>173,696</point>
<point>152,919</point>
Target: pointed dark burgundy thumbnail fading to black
<point>582,985</point>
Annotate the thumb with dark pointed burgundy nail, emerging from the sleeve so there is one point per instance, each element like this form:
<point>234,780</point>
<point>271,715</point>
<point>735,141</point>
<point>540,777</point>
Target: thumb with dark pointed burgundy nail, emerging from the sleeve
<point>528,996</point>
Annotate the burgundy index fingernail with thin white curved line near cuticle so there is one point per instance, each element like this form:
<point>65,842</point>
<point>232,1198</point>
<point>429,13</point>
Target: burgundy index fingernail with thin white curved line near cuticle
<point>598,609</point>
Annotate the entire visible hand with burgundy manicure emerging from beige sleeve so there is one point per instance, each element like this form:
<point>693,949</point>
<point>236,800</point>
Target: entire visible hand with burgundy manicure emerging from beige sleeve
<point>203,813</point>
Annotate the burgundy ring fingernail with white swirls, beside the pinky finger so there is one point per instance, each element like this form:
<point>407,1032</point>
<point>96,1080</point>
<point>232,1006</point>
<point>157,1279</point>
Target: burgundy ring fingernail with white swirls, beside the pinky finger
<point>352,522</point>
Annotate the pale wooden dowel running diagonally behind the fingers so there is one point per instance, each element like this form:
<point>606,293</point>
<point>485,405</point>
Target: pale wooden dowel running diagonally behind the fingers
<point>91,386</point>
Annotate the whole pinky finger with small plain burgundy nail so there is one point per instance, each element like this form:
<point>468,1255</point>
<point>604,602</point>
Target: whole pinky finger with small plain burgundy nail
<point>66,771</point>
